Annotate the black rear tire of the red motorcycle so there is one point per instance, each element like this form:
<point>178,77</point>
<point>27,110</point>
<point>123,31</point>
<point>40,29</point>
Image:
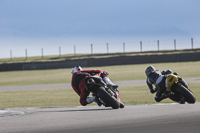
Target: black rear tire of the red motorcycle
<point>107,98</point>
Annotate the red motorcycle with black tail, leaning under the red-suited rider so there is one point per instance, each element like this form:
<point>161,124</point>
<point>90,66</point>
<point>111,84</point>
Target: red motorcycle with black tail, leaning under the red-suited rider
<point>108,95</point>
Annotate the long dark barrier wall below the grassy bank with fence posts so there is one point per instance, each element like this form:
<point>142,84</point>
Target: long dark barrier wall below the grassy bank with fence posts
<point>93,62</point>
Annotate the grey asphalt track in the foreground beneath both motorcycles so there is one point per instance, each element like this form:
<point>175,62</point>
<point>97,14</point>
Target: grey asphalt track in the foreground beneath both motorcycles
<point>155,118</point>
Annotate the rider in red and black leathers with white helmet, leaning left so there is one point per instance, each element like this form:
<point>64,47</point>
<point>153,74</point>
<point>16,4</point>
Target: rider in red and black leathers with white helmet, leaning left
<point>78,83</point>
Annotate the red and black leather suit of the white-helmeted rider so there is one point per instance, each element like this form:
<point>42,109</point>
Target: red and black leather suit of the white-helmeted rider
<point>78,82</point>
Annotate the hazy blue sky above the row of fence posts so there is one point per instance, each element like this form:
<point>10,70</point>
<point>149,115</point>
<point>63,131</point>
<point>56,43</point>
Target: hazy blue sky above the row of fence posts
<point>49,24</point>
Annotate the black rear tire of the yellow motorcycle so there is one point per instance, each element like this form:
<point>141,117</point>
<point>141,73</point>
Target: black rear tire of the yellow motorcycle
<point>186,93</point>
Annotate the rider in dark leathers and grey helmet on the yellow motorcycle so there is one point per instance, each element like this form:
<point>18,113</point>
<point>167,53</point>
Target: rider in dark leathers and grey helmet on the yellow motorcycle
<point>158,79</point>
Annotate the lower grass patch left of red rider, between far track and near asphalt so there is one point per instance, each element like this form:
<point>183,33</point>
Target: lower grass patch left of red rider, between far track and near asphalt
<point>38,98</point>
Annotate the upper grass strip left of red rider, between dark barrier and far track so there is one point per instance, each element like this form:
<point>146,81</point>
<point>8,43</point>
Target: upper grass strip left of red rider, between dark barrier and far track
<point>14,78</point>
